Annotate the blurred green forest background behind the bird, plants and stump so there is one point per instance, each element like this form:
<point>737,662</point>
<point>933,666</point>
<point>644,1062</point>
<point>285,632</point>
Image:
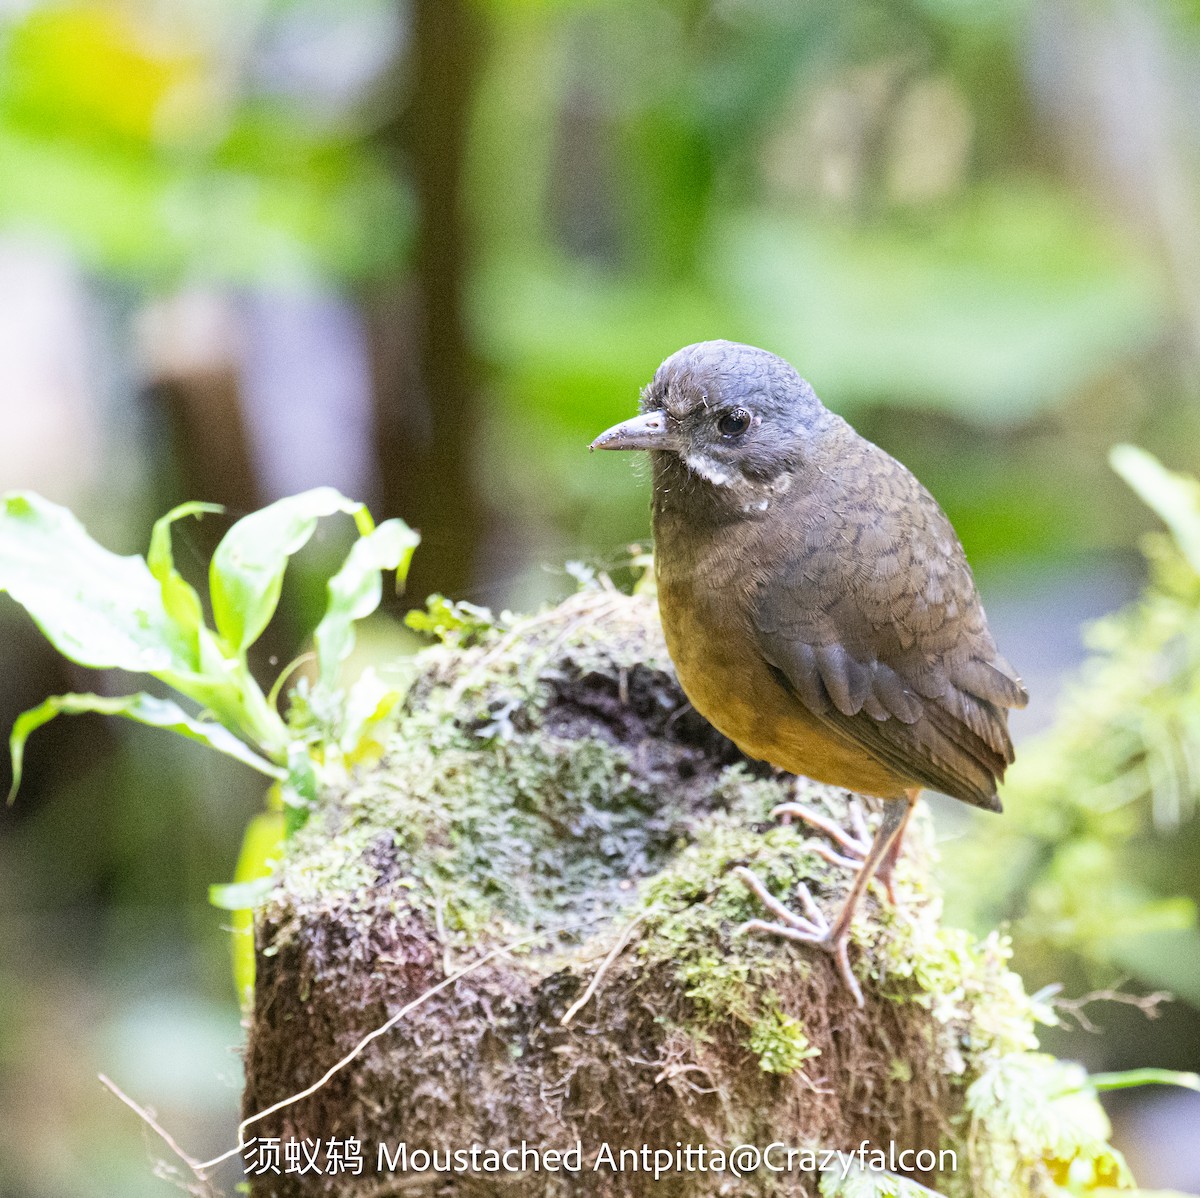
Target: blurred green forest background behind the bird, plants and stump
<point>425,251</point>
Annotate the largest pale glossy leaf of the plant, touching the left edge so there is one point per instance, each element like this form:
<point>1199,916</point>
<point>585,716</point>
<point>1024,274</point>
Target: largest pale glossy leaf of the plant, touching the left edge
<point>97,608</point>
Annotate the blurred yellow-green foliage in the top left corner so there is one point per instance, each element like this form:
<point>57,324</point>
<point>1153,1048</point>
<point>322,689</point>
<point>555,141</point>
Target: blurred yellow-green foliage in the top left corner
<point>139,137</point>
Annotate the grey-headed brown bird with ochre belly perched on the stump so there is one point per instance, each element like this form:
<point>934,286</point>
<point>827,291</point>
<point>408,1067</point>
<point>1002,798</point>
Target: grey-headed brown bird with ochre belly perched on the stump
<point>818,607</point>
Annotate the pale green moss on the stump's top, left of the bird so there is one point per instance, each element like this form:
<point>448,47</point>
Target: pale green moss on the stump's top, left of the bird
<point>499,822</point>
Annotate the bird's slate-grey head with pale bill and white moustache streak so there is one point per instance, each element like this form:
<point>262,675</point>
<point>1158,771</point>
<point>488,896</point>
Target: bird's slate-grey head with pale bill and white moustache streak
<point>730,416</point>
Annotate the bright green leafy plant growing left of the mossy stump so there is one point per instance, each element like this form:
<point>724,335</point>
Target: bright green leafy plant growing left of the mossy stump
<point>140,615</point>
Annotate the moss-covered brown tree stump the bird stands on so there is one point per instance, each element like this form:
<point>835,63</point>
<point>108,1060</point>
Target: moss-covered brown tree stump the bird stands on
<point>548,780</point>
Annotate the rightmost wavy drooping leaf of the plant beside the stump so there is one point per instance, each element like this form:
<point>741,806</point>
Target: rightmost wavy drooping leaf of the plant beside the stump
<point>356,591</point>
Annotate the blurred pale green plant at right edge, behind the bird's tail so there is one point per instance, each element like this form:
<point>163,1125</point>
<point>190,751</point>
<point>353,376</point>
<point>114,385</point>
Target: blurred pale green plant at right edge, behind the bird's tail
<point>1121,764</point>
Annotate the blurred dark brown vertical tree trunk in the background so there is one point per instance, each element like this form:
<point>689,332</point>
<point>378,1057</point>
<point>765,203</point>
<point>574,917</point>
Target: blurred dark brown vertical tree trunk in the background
<point>427,378</point>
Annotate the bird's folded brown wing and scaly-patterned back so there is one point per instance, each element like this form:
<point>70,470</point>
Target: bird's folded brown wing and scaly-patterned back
<point>875,624</point>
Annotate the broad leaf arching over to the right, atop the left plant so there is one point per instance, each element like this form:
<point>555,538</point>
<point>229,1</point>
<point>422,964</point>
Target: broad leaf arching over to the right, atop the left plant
<point>248,567</point>
